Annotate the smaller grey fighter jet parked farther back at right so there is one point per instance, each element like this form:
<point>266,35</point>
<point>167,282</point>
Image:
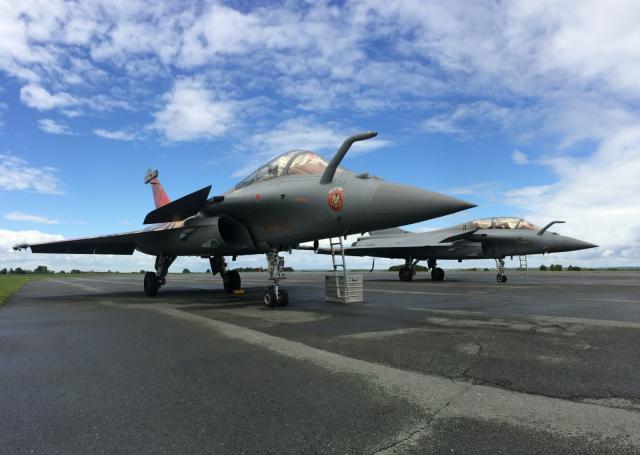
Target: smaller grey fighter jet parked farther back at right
<point>488,238</point>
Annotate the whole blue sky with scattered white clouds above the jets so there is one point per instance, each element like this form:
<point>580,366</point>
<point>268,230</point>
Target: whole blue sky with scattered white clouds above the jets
<point>525,108</point>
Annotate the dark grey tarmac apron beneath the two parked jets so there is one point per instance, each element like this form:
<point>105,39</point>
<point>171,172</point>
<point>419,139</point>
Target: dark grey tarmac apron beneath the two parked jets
<point>547,363</point>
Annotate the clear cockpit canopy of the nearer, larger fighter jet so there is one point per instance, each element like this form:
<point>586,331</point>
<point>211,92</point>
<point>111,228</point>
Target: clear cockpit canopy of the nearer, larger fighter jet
<point>295,162</point>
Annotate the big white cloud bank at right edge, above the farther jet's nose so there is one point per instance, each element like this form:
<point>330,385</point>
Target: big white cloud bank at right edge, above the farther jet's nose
<point>597,196</point>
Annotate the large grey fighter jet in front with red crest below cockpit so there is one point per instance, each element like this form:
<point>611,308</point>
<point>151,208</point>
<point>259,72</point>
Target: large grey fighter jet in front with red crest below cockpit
<point>297,197</point>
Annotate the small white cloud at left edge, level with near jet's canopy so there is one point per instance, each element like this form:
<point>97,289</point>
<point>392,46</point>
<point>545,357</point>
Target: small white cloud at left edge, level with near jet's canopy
<point>18,174</point>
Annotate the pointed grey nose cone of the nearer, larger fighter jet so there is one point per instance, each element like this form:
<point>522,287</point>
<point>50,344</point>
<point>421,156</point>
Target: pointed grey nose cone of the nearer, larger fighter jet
<point>409,204</point>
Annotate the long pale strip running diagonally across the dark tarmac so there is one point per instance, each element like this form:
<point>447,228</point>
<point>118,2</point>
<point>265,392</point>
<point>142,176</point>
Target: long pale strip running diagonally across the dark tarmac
<point>446,398</point>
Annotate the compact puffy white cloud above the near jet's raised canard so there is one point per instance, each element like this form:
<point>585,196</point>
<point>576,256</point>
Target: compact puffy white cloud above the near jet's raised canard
<point>192,111</point>
